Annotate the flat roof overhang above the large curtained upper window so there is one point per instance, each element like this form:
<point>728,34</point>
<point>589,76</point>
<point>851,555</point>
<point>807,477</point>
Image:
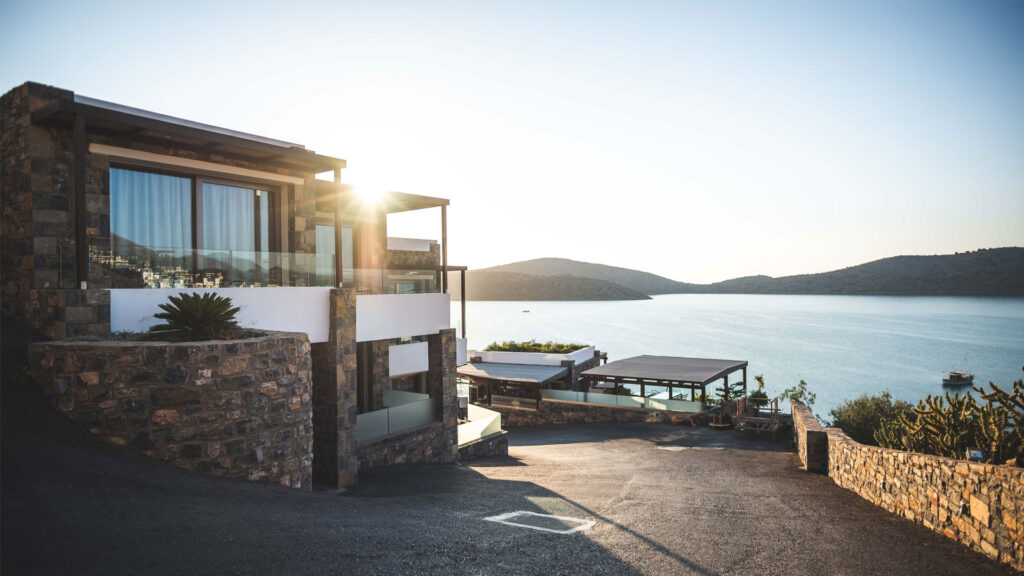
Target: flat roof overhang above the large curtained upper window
<point>145,127</point>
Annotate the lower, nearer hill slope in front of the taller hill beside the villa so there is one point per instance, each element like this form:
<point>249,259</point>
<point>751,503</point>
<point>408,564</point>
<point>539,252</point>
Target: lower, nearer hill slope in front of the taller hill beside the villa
<point>495,285</point>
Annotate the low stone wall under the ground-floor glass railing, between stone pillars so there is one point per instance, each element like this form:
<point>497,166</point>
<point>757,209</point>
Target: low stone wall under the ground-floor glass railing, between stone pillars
<point>426,445</point>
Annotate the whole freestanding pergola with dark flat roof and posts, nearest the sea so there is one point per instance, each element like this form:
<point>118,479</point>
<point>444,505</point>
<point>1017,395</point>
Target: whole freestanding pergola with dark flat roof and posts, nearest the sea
<point>673,373</point>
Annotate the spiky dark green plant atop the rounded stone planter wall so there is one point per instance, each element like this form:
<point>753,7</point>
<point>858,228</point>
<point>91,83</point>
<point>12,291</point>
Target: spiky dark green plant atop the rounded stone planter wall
<point>197,317</point>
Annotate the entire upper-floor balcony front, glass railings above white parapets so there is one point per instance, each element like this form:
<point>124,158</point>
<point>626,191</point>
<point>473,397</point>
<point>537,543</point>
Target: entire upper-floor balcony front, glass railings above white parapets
<point>274,291</point>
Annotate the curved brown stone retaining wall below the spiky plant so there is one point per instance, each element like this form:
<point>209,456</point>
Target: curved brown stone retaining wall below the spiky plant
<point>234,408</point>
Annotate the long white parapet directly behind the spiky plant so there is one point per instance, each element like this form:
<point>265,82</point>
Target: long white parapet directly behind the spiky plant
<point>289,310</point>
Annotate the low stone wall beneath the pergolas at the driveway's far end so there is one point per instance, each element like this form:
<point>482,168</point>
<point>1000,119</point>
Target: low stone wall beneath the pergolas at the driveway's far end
<point>558,413</point>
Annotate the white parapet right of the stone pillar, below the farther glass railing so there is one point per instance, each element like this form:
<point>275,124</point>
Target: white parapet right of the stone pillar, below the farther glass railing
<point>381,317</point>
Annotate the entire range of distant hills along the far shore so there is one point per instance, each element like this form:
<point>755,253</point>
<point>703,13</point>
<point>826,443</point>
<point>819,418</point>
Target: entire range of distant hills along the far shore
<point>997,272</point>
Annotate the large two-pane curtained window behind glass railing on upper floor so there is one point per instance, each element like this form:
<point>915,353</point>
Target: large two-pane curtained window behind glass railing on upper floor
<point>179,232</point>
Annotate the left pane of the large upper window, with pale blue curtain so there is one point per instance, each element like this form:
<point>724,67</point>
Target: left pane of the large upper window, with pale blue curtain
<point>151,227</point>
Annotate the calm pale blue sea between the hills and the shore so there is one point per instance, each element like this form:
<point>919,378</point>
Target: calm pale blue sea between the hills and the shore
<point>843,346</point>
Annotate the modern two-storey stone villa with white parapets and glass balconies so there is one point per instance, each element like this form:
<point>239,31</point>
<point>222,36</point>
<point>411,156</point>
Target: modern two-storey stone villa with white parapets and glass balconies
<point>108,211</point>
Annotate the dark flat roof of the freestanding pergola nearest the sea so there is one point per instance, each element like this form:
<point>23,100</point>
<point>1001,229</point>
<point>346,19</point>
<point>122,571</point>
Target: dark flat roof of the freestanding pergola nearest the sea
<point>667,368</point>
